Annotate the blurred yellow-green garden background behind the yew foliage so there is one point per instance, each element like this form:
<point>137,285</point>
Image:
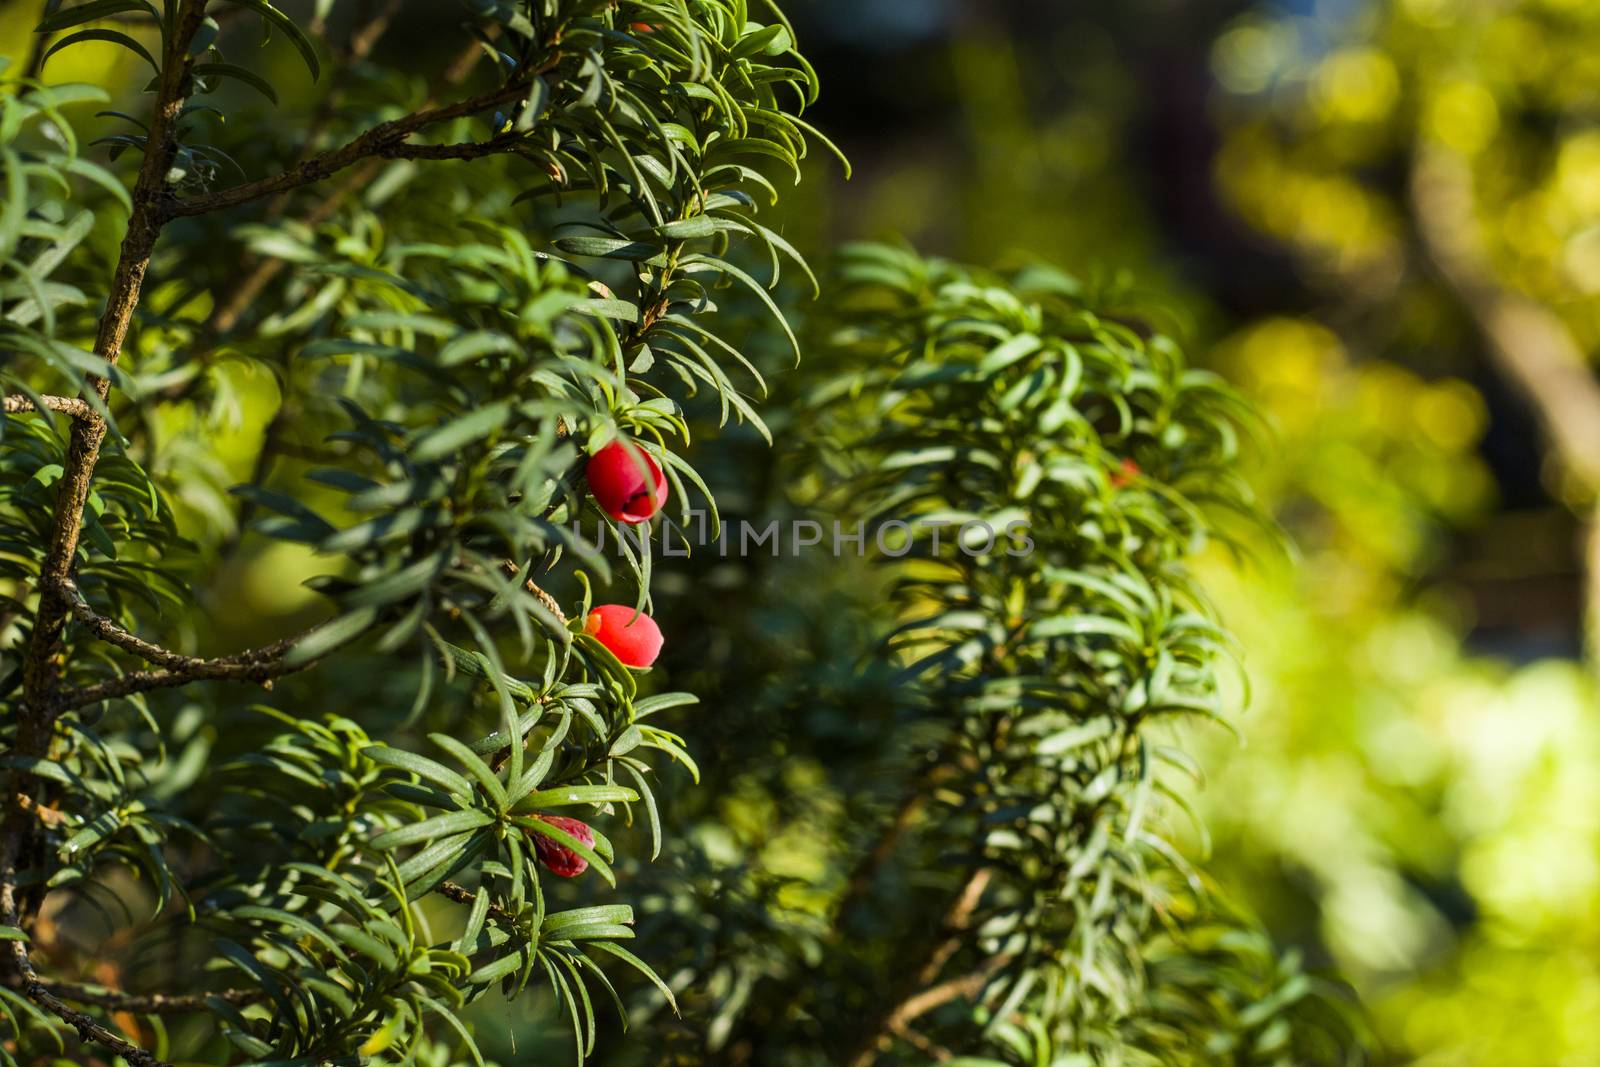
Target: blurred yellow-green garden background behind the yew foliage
<point>1414,796</point>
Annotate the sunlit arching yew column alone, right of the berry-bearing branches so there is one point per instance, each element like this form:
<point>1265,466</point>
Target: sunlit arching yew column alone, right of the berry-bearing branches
<point>1074,465</point>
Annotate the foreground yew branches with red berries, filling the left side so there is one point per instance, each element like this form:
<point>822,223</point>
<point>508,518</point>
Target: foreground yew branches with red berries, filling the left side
<point>446,351</point>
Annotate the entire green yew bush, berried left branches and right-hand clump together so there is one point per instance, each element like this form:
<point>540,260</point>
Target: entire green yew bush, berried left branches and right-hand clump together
<point>382,367</point>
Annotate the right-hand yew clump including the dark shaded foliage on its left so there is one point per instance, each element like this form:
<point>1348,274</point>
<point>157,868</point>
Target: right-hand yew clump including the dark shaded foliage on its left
<point>950,826</point>
